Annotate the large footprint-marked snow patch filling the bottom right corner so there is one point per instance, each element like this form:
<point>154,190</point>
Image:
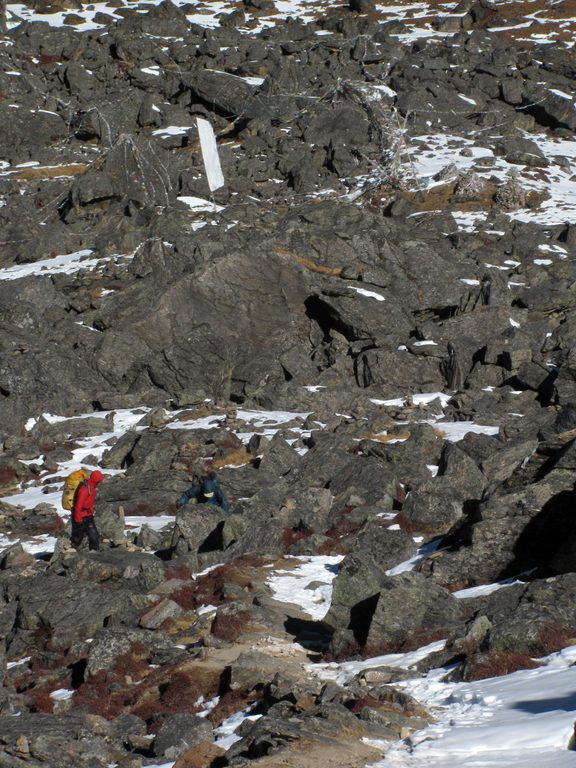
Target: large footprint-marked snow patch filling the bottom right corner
<point>522,720</point>
